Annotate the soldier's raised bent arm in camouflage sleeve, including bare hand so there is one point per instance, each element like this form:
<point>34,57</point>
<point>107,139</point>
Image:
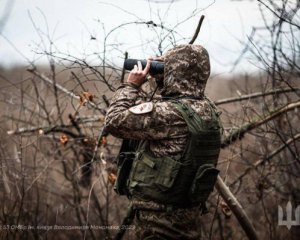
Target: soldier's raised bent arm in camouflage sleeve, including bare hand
<point>147,120</point>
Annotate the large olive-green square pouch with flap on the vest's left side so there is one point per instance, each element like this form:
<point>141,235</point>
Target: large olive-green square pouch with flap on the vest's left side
<point>152,177</point>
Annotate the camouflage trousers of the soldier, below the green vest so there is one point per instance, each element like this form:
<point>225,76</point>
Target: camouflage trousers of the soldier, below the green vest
<point>171,225</point>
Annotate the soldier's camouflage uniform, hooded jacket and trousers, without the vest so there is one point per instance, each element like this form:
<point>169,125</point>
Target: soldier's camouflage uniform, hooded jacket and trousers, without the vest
<point>187,69</point>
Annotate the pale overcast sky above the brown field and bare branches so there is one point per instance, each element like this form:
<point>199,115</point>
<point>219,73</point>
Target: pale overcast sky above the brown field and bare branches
<point>72,23</point>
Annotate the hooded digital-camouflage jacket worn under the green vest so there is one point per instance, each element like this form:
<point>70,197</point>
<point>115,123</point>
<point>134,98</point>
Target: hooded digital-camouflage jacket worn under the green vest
<point>187,69</point>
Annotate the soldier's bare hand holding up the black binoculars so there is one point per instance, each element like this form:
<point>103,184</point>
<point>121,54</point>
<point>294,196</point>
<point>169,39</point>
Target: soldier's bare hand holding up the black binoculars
<point>137,75</point>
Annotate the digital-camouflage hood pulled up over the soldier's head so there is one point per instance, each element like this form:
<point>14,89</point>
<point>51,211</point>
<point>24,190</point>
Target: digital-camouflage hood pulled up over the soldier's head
<point>187,69</point>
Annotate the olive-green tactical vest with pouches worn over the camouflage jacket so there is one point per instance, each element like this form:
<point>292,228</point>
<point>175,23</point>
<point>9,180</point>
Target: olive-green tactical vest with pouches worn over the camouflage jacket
<point>184,180</point>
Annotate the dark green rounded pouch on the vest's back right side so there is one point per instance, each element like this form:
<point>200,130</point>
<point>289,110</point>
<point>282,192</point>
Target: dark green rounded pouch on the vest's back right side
<point>203,183</point>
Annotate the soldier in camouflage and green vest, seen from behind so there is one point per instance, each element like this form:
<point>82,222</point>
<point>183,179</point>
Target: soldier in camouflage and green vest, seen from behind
<point>173,171</point>
